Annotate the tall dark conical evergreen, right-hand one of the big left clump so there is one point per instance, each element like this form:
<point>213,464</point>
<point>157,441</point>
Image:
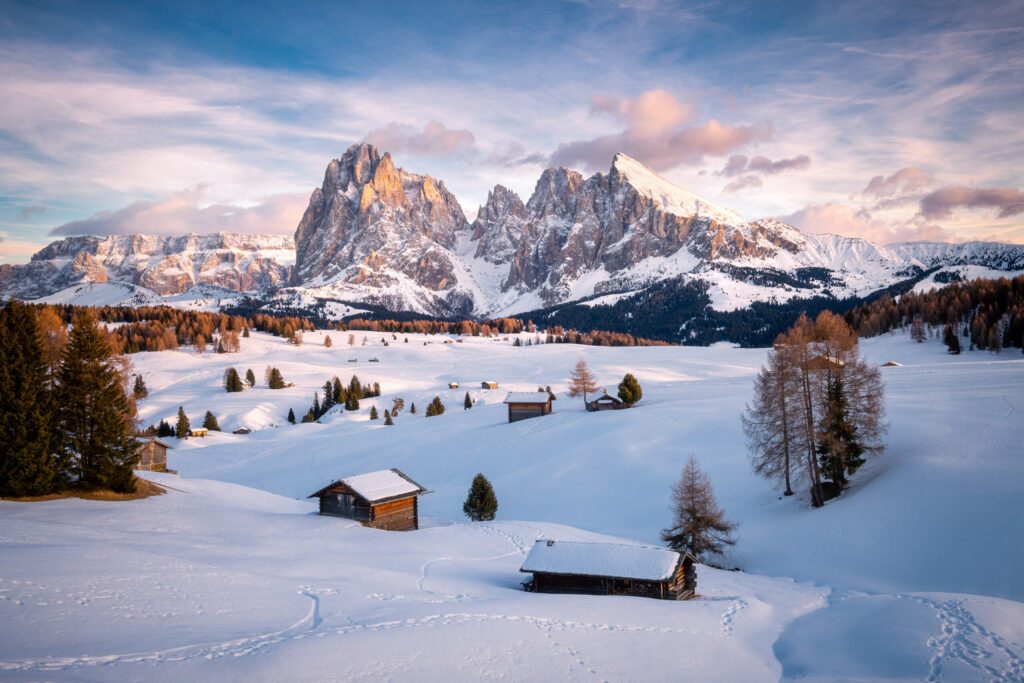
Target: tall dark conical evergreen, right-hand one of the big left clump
<point>96,413</point>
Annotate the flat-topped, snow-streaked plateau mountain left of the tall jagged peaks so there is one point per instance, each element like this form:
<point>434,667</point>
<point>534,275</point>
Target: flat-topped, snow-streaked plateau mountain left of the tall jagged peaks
<point>166,266</point>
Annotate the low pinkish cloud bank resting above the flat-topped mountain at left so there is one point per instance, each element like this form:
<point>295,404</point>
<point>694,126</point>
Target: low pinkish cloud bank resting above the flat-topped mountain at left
<point>185,212</point>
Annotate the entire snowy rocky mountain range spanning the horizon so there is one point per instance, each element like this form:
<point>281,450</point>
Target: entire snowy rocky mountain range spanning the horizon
<point>378,235</point>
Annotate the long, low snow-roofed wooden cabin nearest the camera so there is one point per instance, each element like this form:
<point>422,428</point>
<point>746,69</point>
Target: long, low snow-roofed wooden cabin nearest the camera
<point>611,569</point>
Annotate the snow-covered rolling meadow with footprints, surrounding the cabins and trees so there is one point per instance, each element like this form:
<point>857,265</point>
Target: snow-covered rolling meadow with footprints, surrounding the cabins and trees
<point>914,574</point>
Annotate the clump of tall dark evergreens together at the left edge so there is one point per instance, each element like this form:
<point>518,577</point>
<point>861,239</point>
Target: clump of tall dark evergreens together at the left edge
<point>66,414</point>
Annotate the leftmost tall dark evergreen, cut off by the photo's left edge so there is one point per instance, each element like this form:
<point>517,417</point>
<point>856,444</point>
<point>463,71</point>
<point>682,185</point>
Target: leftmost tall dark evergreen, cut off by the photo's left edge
<point>29,444</point>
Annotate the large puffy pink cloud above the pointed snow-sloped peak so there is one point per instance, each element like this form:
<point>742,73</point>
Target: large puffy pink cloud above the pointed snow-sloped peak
<point>659,132</point>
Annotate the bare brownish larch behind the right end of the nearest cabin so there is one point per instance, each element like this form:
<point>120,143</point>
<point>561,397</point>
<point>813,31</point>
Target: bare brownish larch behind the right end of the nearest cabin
<point>699,525</point>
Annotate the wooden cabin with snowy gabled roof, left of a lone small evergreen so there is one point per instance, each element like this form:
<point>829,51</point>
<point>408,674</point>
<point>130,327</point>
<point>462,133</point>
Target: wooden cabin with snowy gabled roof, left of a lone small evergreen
<point>387,500</point>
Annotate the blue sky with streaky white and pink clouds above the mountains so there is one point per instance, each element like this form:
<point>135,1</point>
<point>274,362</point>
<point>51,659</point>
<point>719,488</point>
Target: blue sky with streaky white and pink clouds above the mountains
<point>887,121</point>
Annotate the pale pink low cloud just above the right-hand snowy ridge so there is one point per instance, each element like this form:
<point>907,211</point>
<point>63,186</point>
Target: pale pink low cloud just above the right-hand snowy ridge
<point>848,221</point>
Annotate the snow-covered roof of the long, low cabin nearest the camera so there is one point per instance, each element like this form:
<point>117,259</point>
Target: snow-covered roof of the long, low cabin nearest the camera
<point>614,561</point>
